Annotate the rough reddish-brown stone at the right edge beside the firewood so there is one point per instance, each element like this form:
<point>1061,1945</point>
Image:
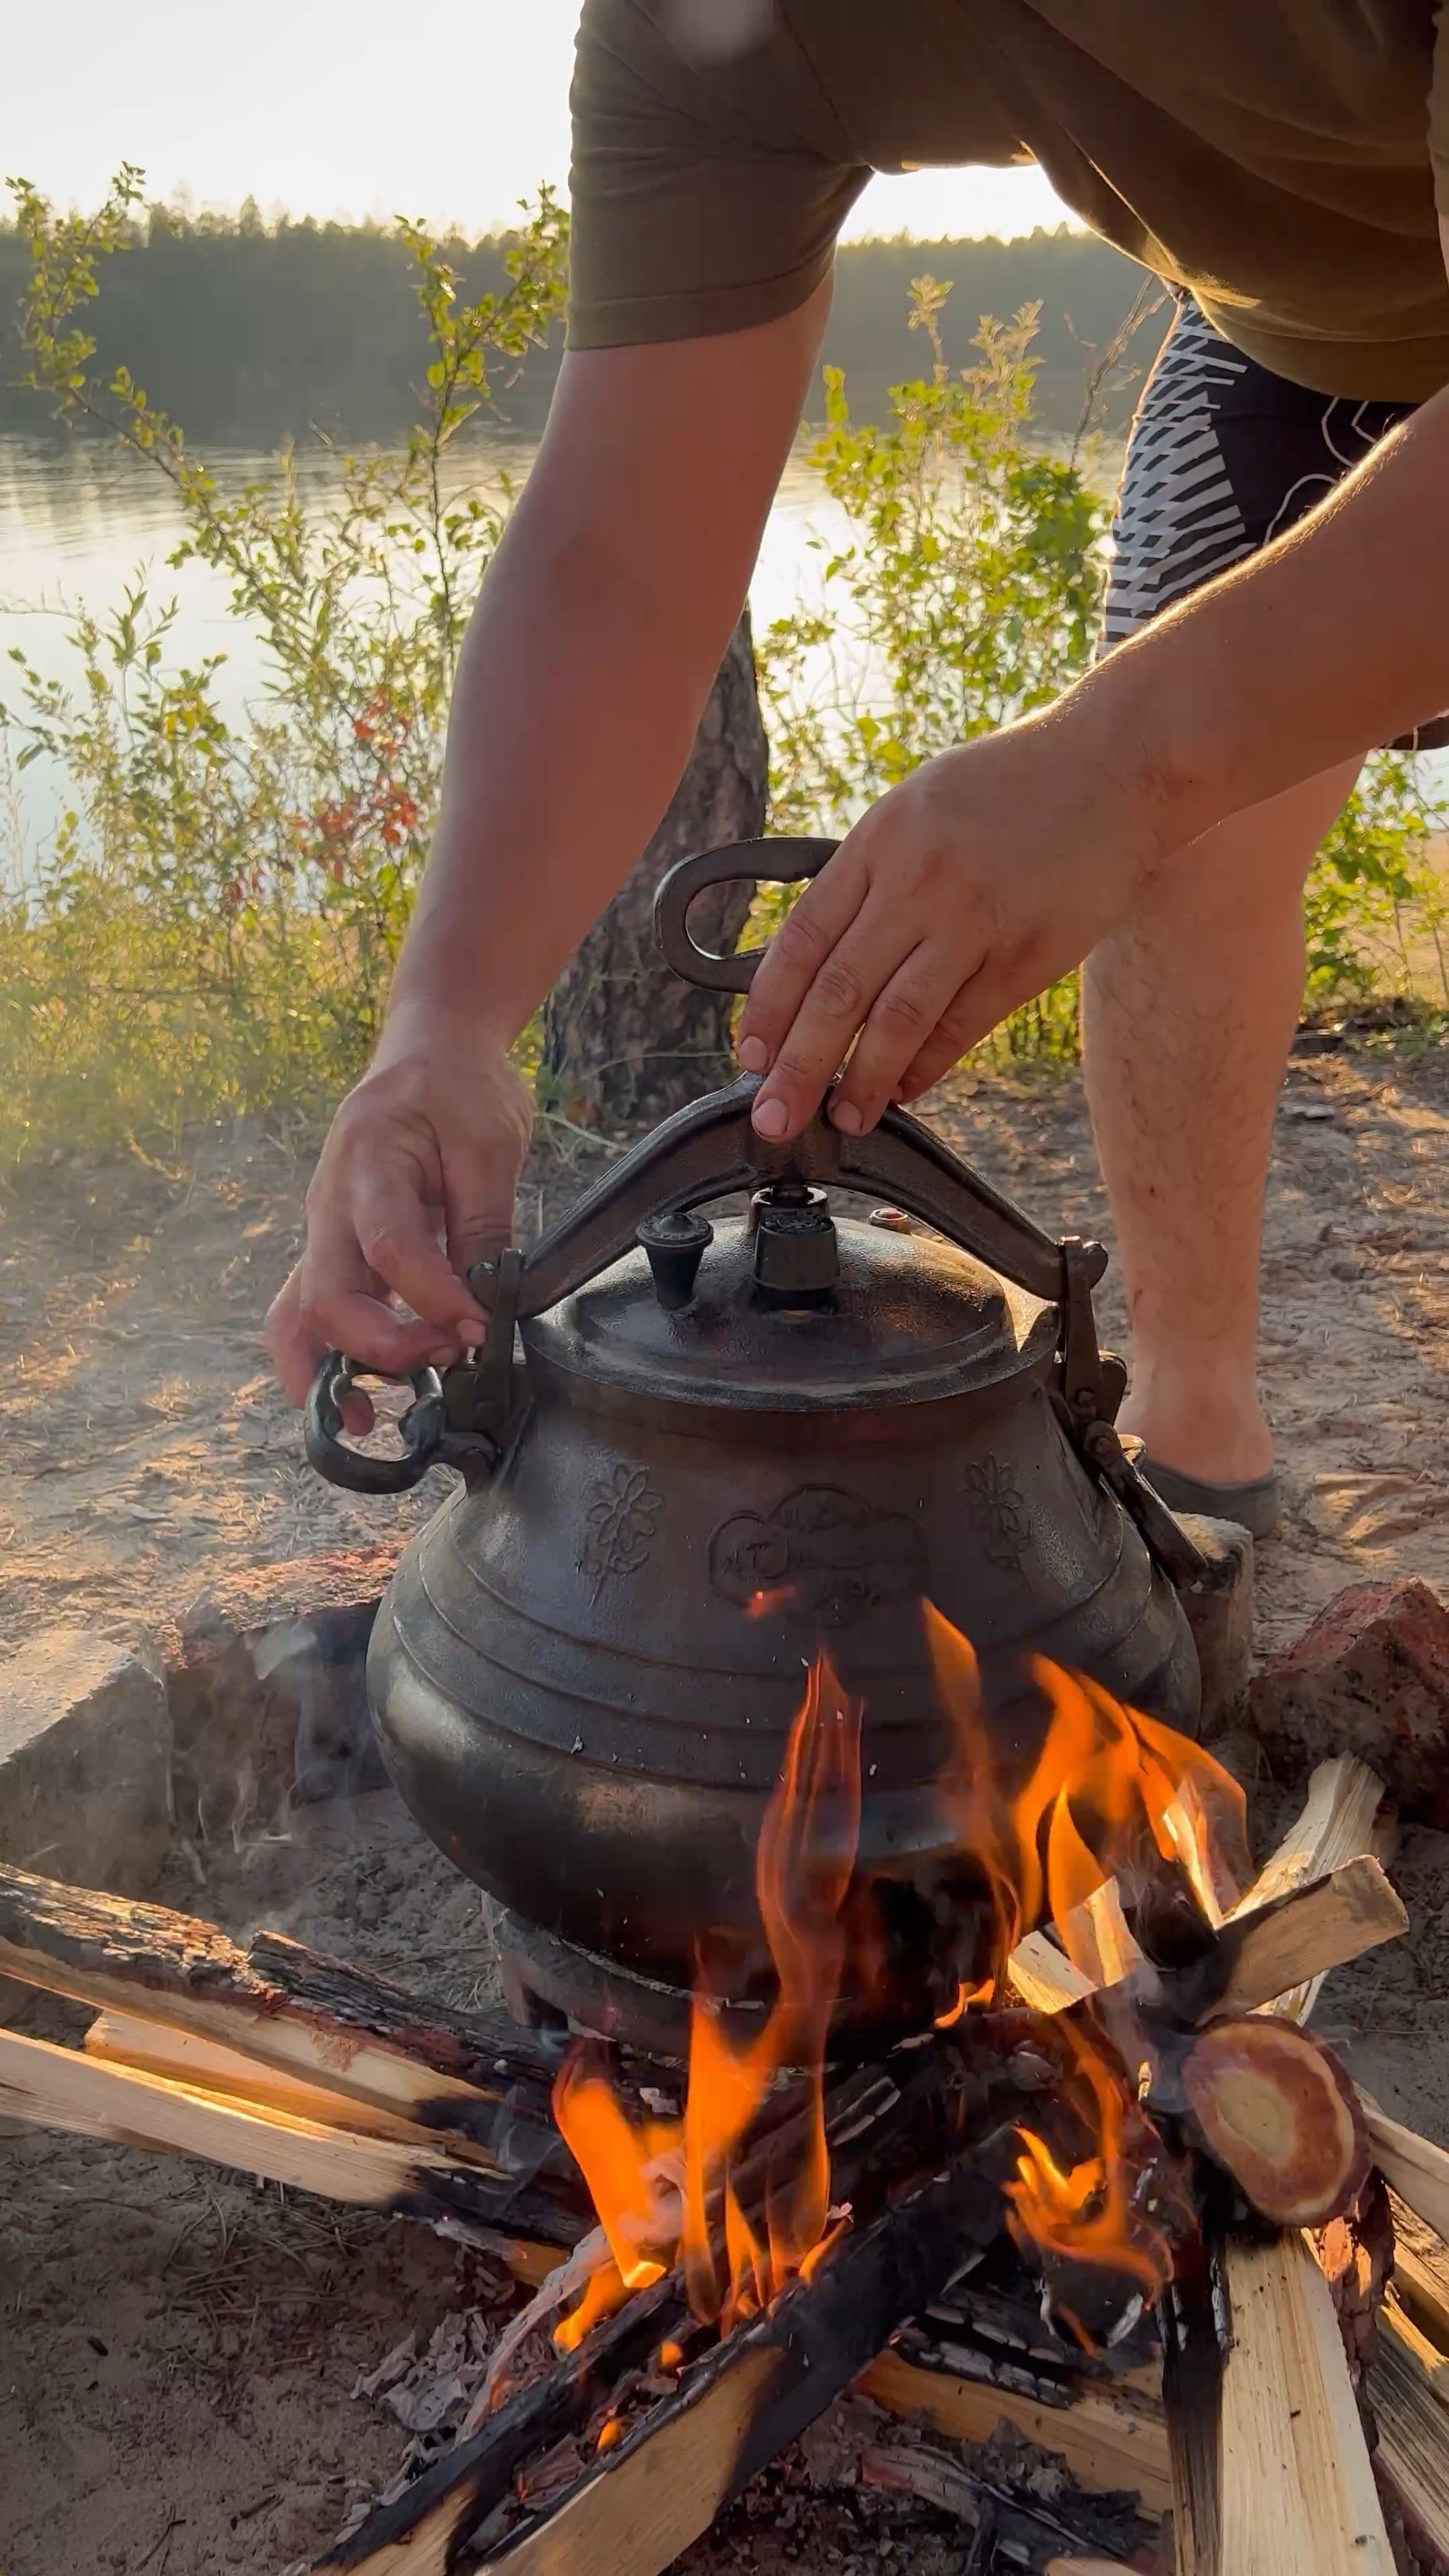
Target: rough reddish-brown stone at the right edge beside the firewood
<point>1370,1678</point>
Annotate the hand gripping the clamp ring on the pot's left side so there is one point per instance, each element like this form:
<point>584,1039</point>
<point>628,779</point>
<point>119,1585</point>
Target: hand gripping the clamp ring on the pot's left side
<point>427,1150</point>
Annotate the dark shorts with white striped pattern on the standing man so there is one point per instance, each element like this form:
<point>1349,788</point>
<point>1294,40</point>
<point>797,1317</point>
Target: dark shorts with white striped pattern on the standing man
<point>1223,457</point>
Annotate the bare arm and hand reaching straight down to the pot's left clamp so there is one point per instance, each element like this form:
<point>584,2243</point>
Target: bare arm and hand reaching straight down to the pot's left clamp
<point>584,679</point>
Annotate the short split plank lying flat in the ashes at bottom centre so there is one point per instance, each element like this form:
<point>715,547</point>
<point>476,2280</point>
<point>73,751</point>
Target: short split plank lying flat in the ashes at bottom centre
<point>1107,2438</point>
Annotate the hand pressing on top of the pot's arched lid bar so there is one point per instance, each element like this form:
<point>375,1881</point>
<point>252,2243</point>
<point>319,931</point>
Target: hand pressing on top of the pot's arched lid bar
<point>960,895</point>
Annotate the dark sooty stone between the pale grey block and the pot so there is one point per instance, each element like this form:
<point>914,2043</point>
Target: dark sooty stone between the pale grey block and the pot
<point>269,1691</point>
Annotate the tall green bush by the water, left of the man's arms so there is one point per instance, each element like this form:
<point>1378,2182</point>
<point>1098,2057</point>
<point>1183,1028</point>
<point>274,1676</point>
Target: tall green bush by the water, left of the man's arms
<point>215,923</point>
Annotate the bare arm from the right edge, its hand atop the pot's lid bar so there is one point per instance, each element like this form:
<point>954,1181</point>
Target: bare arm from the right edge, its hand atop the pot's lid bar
<point>999,867</point>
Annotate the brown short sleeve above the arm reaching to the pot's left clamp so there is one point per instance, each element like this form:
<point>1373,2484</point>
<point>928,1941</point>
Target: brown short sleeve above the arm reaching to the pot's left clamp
<point>705,192</point>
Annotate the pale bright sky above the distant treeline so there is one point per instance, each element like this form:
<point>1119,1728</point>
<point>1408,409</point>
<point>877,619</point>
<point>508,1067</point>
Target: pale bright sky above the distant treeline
<point>367,112</point>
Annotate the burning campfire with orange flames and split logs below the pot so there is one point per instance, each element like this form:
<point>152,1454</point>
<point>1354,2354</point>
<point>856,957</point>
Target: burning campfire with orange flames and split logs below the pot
<point>1118,2196</point>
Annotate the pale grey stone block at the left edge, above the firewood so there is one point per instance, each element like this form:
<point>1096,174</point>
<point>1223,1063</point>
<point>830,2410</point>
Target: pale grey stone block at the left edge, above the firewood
<point>84,1763</point>
